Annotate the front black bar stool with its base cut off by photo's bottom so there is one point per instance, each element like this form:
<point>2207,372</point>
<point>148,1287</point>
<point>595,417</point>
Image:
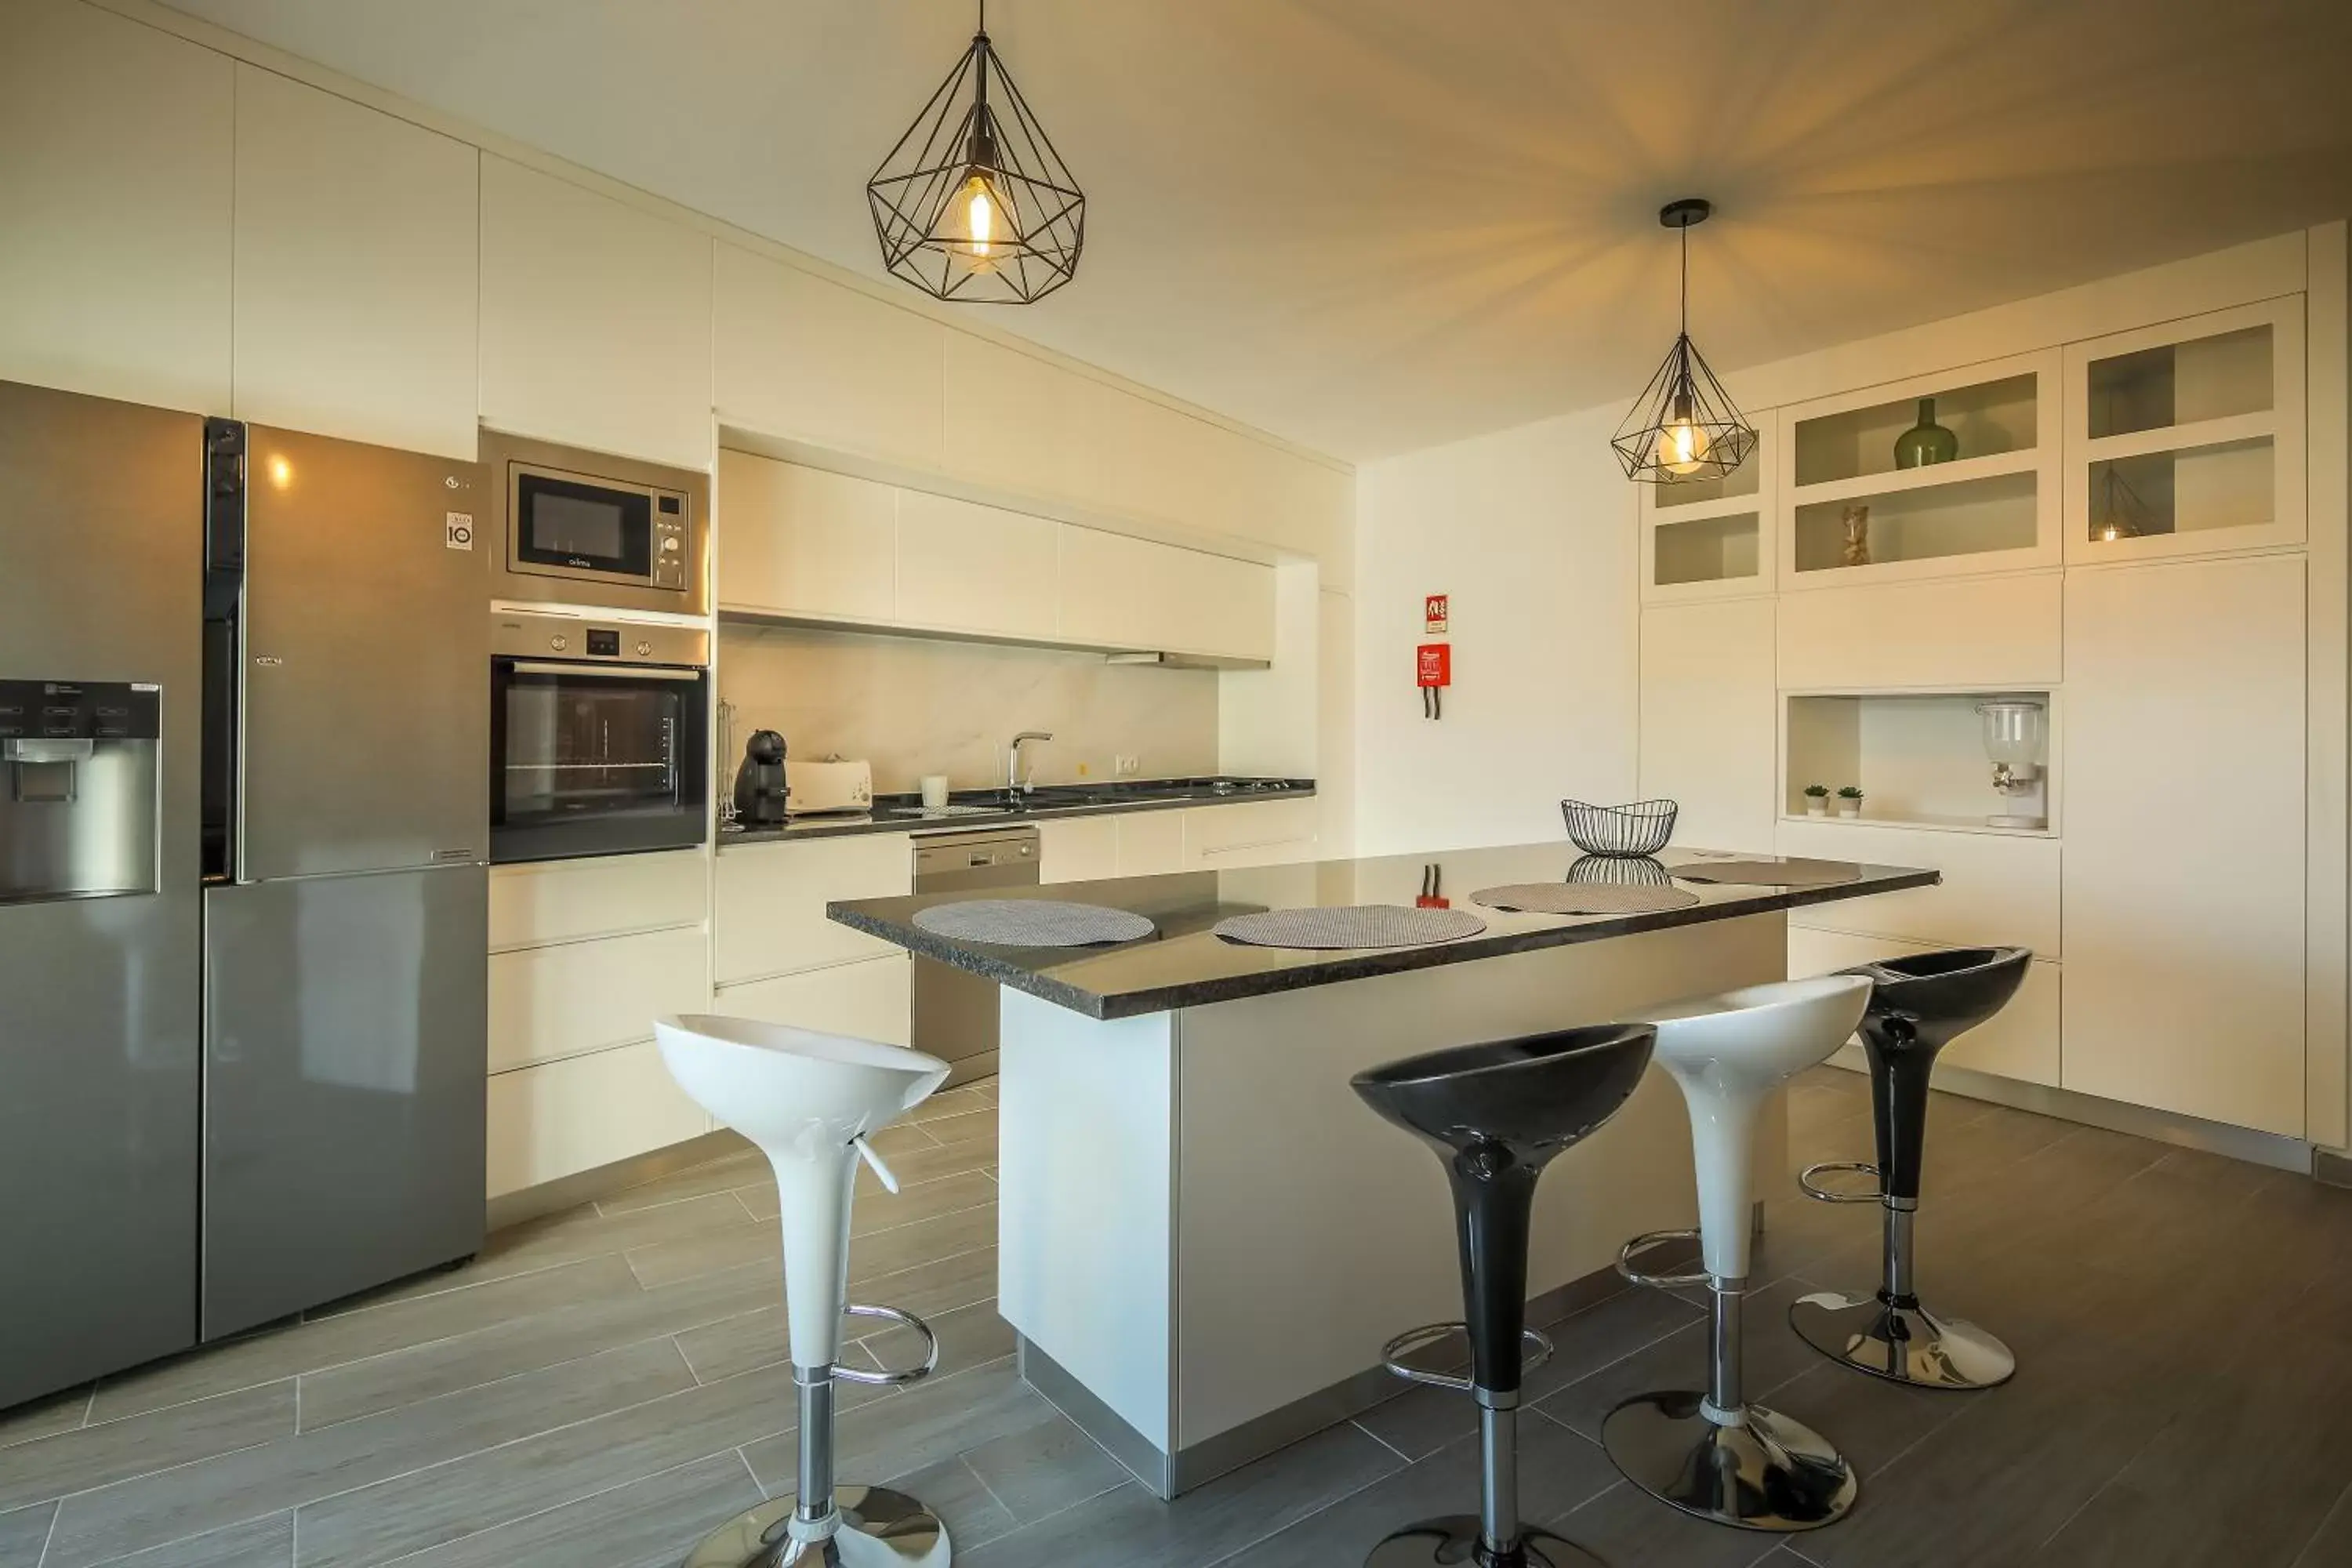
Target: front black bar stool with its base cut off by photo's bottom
<point>1497,1115</point>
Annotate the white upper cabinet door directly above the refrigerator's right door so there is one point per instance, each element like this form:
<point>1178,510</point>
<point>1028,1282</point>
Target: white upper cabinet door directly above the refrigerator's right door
<point>356,272</point>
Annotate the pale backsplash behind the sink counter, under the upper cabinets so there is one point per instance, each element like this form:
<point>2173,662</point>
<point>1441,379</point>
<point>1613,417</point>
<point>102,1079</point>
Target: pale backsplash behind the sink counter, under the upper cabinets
<point>916,706</point>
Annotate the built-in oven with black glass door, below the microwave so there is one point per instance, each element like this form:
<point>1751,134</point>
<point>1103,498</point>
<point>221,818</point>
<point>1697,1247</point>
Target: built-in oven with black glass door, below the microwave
<point>599,737</point>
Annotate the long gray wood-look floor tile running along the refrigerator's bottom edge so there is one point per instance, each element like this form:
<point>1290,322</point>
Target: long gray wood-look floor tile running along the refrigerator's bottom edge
<point>356,1336</point>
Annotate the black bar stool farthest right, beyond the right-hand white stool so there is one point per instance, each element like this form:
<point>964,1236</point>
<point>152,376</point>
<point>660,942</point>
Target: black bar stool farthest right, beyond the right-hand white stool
<point>1918,1007</point>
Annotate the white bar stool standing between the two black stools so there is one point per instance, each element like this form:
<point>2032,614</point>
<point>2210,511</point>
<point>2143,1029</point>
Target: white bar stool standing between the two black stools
<point>1716,1454</point>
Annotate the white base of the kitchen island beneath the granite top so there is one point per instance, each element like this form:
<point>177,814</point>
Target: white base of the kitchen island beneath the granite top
<point>1205,1238</point>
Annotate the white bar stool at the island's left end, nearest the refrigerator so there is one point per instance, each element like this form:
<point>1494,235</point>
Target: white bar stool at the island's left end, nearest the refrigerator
<point>810,1101</point>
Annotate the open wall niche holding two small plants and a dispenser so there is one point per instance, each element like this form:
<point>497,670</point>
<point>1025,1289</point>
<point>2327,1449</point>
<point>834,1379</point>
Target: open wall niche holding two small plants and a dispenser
<point>1918,758</point>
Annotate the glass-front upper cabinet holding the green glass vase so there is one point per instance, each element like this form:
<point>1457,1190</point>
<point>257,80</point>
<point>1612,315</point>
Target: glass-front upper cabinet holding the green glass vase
<point>1852,511</point>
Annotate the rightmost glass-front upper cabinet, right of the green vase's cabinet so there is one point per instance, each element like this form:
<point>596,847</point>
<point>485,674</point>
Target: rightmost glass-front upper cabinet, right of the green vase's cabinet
<point>2189,438</point>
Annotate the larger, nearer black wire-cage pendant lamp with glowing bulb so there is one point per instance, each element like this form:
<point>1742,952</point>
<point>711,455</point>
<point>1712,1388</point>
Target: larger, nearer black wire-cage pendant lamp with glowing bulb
<point>975,203</point>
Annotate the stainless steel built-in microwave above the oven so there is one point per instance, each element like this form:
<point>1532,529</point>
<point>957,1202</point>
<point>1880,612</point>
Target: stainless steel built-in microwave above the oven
<point>582,528</point>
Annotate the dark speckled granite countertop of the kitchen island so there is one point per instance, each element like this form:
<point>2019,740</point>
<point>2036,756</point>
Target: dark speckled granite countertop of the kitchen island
<point>1184,965</point>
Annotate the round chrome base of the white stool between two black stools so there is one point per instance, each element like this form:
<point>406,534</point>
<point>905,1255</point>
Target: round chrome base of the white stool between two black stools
<point>1770,1473</point>
